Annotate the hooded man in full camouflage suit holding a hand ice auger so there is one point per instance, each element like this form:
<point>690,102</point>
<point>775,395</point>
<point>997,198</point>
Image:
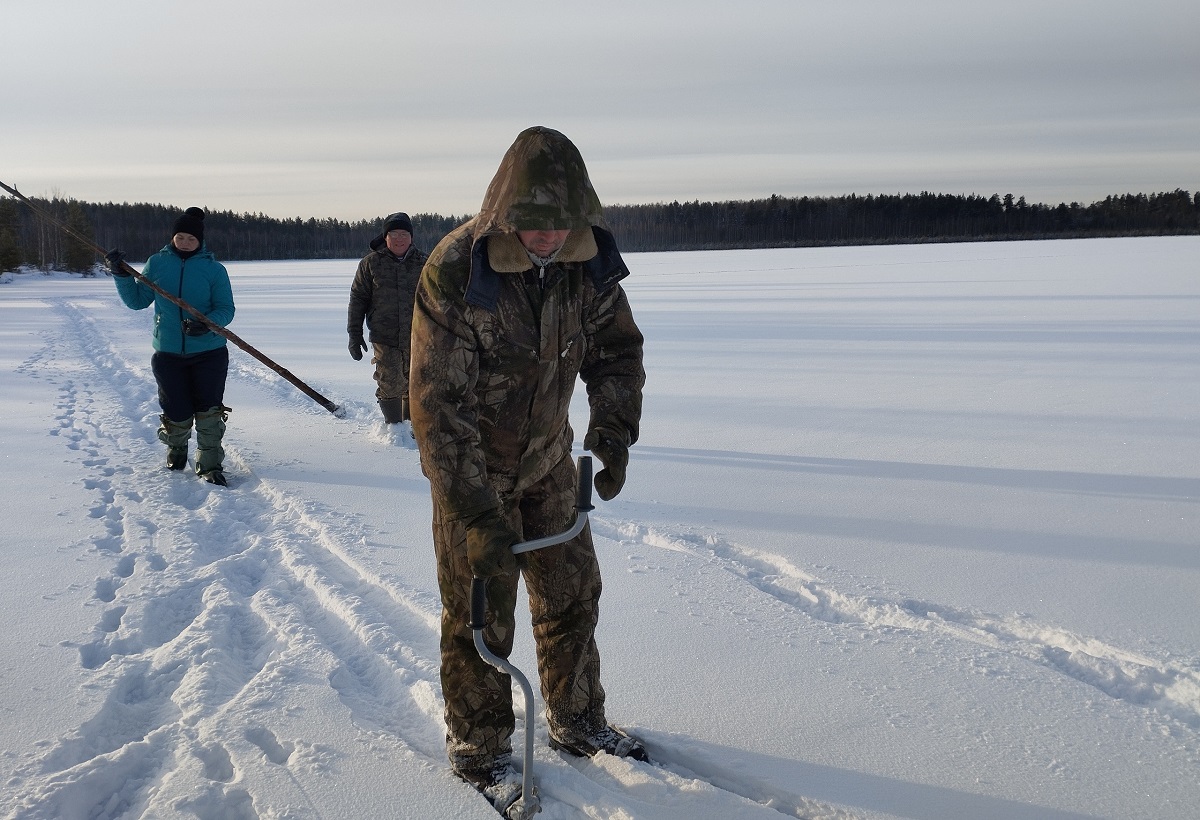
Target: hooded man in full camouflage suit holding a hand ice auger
<point>512,308</point>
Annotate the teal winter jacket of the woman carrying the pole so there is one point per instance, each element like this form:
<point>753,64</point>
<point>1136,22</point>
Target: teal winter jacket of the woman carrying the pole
<point>200,280</point>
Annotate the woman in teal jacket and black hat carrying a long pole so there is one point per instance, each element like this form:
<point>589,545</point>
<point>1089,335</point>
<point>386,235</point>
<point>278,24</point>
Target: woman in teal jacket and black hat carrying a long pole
<point>190,362</point>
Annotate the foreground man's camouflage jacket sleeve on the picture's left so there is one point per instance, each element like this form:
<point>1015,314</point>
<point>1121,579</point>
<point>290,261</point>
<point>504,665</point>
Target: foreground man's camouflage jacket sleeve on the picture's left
<point>445,372</point>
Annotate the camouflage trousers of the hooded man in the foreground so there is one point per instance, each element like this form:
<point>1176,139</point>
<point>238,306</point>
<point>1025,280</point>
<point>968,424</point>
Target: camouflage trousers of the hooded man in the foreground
<point>563,583</point>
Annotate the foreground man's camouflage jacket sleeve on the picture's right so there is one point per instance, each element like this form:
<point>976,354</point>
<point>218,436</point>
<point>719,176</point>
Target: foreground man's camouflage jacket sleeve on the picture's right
<point>613,367</point>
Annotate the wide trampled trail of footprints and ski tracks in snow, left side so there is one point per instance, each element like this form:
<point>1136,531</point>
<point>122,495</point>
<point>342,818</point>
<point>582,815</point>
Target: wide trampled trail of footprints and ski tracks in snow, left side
<point>272,577</point>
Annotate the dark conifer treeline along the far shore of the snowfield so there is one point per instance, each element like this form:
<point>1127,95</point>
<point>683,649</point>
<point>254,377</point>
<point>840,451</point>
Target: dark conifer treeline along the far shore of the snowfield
<point>141,230</point>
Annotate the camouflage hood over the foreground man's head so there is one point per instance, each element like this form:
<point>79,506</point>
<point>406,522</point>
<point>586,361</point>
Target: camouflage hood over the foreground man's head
<point>542,185</point>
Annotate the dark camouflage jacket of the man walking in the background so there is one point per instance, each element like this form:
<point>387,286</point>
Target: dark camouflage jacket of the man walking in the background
<point>382,295</point>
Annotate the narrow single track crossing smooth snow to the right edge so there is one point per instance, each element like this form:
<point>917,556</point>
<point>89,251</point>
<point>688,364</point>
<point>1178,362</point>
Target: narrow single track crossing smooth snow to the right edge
<point>1167,689</point>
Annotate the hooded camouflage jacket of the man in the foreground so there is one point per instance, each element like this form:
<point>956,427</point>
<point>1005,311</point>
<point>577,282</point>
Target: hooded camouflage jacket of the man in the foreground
<point>499,345</point>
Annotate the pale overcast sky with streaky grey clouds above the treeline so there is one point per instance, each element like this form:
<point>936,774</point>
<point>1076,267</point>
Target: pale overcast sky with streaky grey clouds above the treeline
<point>355,109</point>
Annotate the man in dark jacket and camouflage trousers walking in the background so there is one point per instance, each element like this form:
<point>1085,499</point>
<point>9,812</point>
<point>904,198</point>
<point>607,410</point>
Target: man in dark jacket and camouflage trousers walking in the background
<point>382,295</point>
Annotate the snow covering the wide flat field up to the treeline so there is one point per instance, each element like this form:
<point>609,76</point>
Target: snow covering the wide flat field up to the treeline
<point>910,532</point>
